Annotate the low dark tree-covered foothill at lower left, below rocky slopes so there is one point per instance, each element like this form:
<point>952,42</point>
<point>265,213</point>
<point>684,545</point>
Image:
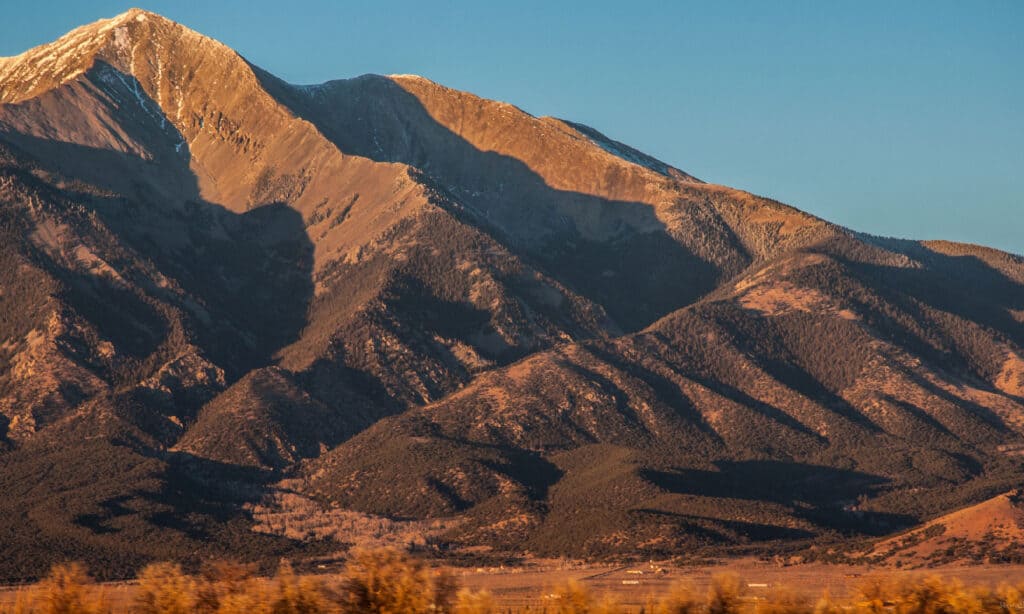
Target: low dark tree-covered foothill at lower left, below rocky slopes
<point>115,508</point>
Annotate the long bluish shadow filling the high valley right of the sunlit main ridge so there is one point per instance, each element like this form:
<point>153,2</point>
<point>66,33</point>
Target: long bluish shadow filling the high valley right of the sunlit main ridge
<point>637,277</point>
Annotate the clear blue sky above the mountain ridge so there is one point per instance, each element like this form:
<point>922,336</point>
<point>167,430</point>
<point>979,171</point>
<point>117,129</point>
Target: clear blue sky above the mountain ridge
<point>902,119</point>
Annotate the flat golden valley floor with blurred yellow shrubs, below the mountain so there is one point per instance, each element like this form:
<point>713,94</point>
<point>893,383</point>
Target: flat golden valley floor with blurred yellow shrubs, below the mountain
<point>541,587</point>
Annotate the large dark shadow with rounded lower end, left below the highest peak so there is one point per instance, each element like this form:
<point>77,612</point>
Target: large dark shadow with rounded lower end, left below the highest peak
<point>247,279</point>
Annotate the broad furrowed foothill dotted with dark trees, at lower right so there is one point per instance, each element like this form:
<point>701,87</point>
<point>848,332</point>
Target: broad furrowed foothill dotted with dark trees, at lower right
<point>895,411</point>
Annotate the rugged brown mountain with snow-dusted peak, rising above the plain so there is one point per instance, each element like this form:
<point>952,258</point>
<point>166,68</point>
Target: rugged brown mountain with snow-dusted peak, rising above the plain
<point>227,299</point>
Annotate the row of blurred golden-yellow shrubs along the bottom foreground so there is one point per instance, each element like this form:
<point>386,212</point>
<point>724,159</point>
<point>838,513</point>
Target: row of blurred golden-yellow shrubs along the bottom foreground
<point>388,582</point>
